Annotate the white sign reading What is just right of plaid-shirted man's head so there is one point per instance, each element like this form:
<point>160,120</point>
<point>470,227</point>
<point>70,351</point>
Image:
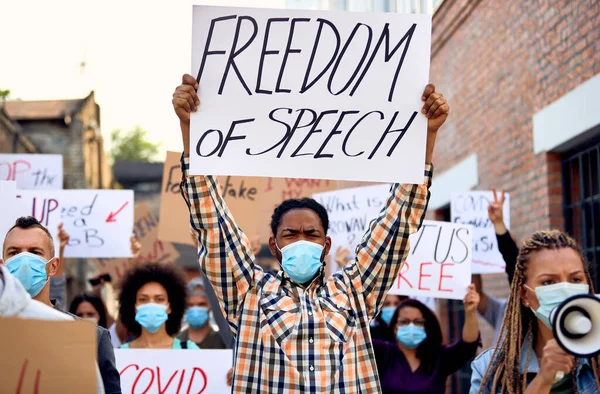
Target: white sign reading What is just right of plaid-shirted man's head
<point>350,212</point>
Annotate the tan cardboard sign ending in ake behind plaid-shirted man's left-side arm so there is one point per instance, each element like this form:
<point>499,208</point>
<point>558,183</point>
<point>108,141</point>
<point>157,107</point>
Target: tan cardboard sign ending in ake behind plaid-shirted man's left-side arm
<point>243,195</point>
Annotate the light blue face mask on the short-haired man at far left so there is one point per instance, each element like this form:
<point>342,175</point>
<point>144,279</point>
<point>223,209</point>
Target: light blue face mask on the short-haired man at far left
<point>30,270</point>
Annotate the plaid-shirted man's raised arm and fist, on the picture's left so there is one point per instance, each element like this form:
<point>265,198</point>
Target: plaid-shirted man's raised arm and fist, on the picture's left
<point>224,252</point>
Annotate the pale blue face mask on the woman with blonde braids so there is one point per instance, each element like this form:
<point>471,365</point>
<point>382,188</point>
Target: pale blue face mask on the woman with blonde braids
<point>552,296</point>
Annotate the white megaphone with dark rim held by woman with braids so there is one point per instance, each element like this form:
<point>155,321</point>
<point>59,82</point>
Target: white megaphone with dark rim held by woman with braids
<point>576,325</point>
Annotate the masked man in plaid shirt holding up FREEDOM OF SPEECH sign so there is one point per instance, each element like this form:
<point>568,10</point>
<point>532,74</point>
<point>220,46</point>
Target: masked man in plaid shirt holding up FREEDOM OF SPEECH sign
<point>296,332</point>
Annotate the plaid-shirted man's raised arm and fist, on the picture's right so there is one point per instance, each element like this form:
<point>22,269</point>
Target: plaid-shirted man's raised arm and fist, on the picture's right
<point>385,245</point>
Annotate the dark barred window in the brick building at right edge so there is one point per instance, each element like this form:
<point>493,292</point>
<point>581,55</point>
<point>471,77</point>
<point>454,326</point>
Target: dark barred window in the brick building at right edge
<point>581,189</point>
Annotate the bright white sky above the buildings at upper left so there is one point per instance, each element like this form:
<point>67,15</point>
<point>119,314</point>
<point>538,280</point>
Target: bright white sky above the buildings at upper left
<point>135,53</point>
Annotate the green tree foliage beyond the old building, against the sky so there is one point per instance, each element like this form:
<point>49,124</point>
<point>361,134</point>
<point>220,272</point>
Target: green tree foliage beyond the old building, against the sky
<point>133,146</point>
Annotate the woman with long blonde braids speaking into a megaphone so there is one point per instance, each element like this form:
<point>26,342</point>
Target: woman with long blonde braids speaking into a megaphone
<point>550,268</point>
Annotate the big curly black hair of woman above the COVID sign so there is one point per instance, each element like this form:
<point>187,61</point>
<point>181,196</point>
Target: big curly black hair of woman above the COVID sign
<point>168,276</point>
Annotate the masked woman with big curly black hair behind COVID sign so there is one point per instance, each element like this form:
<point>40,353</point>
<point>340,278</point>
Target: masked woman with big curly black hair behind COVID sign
<point>152,304</point>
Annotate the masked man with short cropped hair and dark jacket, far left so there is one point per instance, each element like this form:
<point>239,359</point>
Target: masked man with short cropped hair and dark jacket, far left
<point>28,254</point>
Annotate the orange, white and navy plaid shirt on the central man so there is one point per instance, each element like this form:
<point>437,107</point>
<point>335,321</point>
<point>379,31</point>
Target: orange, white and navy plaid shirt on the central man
<point>291,339</point>
